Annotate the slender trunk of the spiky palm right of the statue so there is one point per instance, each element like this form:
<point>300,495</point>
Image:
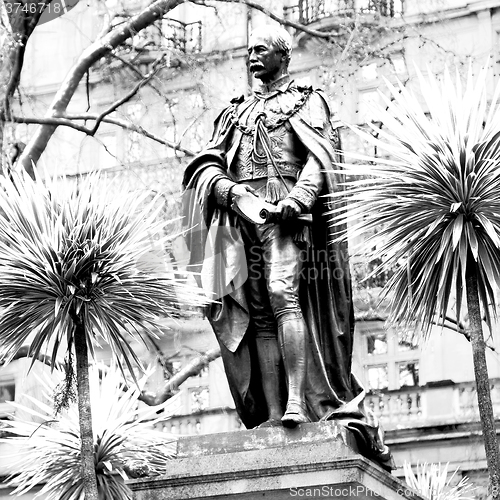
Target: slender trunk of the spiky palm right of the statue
<point>482,381</point>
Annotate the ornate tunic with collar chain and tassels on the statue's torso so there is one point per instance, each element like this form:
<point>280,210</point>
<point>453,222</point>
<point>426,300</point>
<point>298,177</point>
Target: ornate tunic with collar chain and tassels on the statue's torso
<point>266,148</point>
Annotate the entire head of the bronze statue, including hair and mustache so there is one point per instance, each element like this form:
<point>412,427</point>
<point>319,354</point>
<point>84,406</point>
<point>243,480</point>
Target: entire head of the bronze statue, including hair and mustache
<point>269,52</point>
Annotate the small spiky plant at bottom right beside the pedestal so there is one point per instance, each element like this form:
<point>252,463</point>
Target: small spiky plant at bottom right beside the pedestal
<point>432,482</point>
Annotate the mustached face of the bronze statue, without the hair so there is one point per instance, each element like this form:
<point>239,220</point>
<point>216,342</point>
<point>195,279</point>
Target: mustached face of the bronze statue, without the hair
<point>265,61</point>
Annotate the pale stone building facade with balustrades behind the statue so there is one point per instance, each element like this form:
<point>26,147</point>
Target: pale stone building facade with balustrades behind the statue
<point>423,393</point>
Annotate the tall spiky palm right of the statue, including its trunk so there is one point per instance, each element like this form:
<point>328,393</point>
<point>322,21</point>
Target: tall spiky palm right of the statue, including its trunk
<point>434,204</point>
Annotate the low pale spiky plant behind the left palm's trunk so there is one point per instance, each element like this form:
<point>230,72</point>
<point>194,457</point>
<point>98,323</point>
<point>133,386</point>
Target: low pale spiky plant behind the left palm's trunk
<point>125,441</point>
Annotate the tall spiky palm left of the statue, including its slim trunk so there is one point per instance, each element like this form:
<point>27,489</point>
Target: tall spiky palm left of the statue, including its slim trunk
<point>79,266</point>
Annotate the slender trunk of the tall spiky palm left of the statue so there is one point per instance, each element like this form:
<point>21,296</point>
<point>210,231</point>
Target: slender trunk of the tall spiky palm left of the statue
<point>85,412</point>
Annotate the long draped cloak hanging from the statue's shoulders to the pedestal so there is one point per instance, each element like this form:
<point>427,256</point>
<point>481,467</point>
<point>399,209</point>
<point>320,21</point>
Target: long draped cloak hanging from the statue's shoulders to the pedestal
<point>218,255</point>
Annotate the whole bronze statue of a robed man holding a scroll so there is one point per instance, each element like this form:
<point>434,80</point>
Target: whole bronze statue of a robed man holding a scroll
<point>284,315</point>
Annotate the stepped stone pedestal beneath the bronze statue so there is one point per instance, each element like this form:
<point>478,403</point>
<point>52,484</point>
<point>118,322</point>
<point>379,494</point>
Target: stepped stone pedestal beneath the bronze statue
<point>314,460</point>
